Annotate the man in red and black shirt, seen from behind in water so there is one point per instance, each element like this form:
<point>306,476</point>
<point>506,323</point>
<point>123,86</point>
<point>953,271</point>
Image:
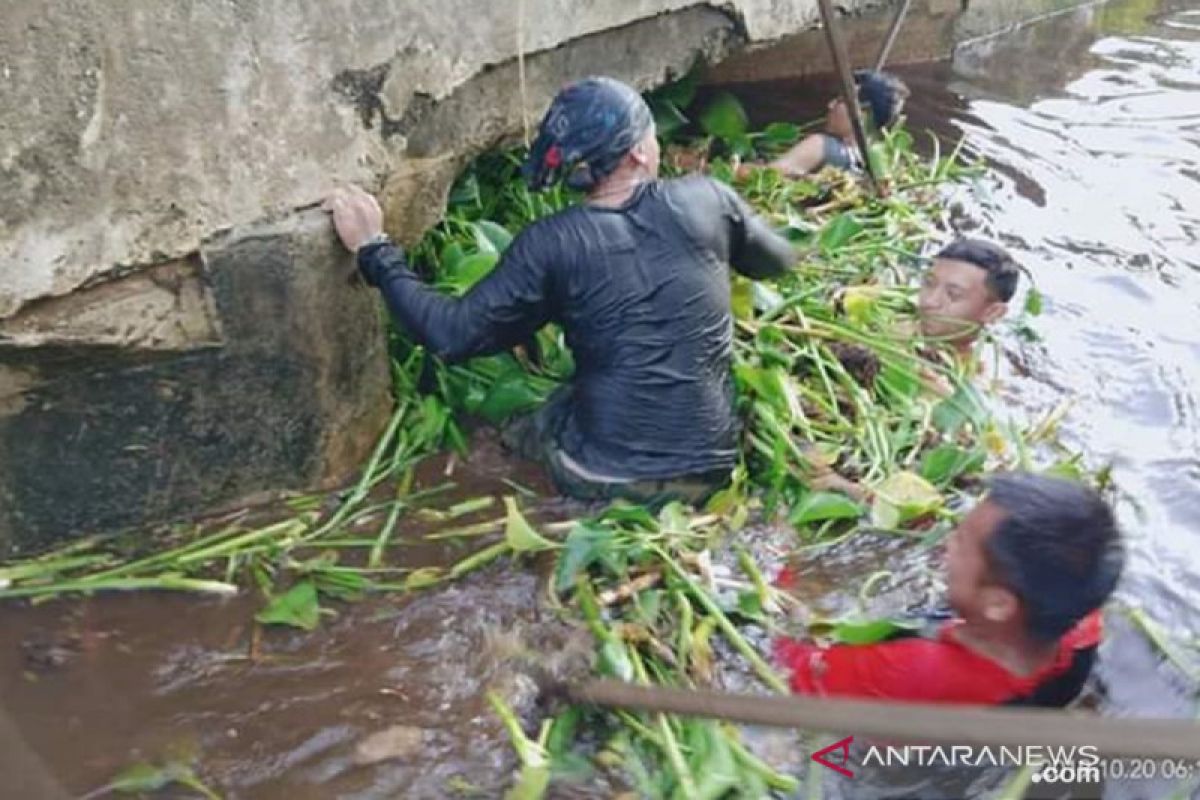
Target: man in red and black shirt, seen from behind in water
<point>1028,573</point>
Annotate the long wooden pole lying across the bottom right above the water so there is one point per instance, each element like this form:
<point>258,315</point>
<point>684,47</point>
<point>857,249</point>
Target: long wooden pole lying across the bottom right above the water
<point>917,723</point>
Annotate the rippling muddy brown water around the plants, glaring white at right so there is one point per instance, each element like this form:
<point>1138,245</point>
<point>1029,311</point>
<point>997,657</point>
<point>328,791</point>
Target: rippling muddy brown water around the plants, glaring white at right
<point>1093,121</point>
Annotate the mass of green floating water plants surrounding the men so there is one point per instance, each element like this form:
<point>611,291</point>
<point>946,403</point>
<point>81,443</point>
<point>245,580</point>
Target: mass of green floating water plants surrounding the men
<point>832,381</point>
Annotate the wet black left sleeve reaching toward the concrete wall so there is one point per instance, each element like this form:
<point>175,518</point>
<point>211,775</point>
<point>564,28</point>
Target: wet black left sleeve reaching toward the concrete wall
<point>497,314</point>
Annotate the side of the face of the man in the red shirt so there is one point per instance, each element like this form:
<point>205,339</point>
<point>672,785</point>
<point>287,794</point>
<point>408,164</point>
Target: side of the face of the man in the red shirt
<point>973,588</point>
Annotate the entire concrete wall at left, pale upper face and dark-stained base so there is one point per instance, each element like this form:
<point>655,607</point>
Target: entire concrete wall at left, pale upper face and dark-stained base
<point>177,329</point>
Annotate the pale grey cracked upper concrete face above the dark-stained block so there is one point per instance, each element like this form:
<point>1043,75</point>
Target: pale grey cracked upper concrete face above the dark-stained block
<point>131,133</point>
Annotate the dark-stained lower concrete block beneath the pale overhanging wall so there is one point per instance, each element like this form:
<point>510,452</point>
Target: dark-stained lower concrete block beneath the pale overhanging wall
<point>284,394</point>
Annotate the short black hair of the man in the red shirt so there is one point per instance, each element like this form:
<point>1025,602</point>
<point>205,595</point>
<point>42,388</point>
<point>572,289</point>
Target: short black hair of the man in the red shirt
<point>1058,549</point>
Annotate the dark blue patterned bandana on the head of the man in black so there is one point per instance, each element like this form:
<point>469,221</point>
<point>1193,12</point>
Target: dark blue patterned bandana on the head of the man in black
<point>589,130</point>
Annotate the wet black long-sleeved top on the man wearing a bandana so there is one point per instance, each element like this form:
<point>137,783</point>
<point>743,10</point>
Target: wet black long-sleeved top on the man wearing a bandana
<point>643,293</point>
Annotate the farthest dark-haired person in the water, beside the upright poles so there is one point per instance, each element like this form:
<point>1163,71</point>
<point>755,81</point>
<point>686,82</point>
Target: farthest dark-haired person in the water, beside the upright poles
<point>883,97</point>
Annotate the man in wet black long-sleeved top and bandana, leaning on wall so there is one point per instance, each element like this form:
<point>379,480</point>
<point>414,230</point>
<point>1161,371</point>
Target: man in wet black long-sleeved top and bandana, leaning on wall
<point>638,276</point>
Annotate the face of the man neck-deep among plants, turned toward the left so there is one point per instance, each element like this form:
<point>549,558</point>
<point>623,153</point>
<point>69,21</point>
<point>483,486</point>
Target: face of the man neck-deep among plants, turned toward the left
<point>955,300</point>
